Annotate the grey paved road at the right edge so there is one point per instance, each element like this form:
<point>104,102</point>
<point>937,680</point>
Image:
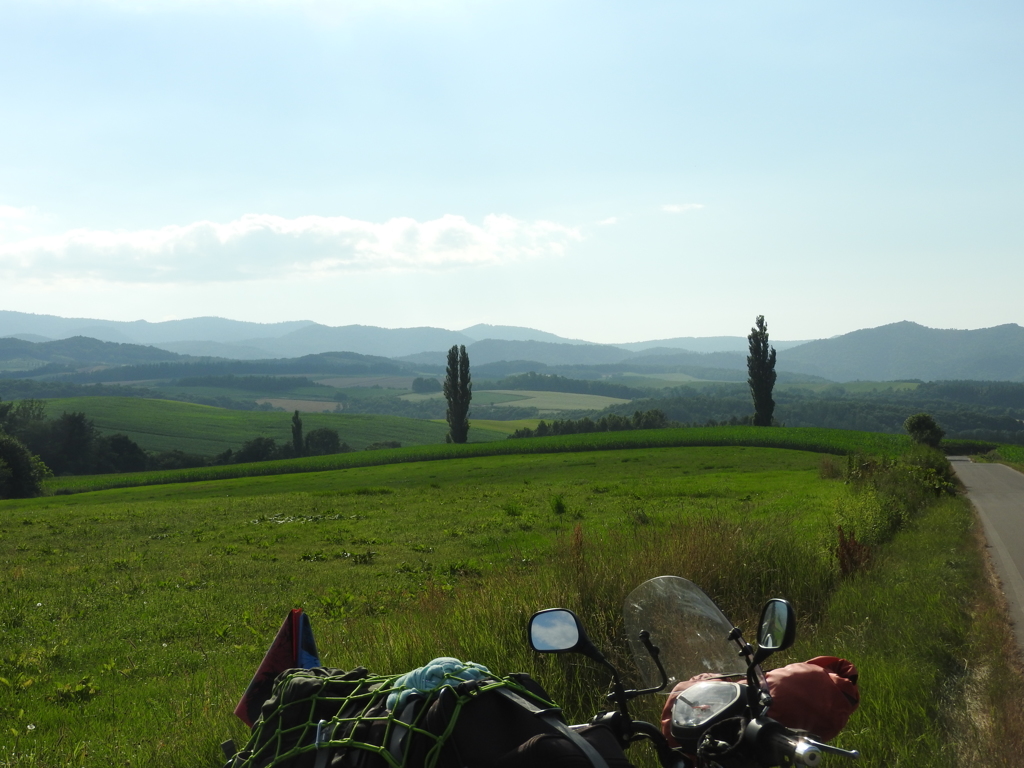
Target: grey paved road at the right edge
<point>998,494</point>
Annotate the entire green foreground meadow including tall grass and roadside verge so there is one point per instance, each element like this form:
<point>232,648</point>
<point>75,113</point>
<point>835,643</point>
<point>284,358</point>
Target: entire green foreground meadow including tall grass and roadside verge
<point>134,618</point>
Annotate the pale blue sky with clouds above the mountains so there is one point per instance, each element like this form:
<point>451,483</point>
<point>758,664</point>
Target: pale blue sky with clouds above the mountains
<point>607,172</point>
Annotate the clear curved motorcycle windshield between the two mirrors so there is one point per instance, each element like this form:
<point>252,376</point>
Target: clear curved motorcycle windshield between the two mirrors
<point>691,631</point>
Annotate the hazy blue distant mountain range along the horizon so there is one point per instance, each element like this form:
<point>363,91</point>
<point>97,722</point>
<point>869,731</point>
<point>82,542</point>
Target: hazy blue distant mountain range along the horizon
<point>898,352</point>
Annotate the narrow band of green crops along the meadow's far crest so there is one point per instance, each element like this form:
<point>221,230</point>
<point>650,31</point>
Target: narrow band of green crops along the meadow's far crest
<point>836,442</point>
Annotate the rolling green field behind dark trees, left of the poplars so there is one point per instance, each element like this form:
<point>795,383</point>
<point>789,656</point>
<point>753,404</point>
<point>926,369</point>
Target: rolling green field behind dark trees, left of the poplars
<point>167,425</point>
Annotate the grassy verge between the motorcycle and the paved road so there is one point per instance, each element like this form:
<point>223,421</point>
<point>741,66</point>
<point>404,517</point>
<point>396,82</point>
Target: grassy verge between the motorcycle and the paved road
<point>923,626</point>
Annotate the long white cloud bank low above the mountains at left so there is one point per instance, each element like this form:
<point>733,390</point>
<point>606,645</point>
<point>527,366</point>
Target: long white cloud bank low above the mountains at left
<point>264,246</point>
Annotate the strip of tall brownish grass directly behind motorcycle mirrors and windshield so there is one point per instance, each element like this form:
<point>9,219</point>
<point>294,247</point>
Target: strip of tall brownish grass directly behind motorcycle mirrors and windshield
<point>484,620</point>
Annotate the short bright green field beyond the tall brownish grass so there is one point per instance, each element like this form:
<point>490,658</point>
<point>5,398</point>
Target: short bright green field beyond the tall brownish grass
<point>166,605</point>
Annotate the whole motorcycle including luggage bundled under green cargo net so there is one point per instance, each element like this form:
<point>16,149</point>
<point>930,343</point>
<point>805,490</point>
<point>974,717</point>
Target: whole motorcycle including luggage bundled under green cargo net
<point>451,714</point>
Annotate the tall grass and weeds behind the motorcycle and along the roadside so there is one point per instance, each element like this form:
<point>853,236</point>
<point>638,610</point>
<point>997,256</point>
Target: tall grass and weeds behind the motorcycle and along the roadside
<point>907,620</point>
